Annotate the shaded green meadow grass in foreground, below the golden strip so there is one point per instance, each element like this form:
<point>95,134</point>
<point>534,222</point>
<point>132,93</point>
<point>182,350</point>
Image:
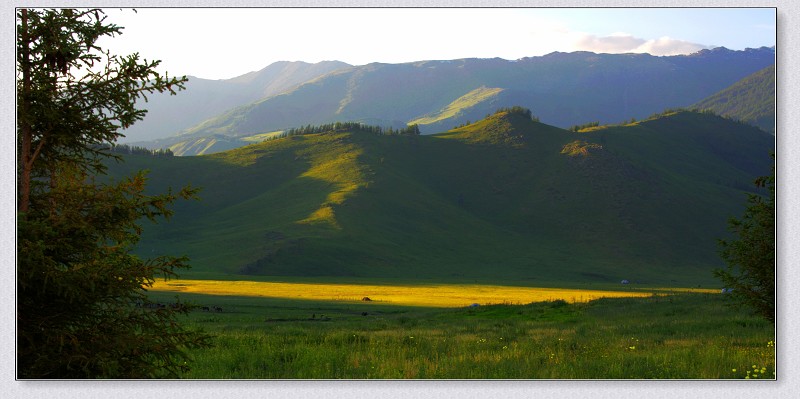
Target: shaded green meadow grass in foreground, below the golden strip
<point>680,336</point>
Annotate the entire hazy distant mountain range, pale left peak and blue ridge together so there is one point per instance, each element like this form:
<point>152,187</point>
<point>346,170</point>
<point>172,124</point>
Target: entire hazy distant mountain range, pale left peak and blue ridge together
<point>562,89</point>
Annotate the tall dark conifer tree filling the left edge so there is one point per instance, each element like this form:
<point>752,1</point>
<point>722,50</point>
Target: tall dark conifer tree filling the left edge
<point>82,310</point>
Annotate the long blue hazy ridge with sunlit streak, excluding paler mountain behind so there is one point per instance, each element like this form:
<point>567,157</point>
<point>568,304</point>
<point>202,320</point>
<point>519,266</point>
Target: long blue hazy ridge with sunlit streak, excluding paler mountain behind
<point>560,88</point>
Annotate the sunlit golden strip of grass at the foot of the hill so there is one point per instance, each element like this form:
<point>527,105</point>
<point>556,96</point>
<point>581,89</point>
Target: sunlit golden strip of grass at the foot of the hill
<point>440,295</point>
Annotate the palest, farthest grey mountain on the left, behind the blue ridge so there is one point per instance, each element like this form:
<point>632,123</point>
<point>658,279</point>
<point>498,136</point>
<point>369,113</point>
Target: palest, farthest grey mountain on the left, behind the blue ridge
<point>167,115</point>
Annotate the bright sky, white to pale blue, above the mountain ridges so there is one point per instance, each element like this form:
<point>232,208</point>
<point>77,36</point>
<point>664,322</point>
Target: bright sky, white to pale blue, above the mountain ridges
<point>221,43</point>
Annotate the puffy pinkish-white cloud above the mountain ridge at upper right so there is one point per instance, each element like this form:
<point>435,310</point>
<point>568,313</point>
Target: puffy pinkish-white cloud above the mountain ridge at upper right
<point>625,43</point>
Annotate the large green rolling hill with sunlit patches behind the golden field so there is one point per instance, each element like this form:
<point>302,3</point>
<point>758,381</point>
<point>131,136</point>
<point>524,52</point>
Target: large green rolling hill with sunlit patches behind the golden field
<point>505,199</point>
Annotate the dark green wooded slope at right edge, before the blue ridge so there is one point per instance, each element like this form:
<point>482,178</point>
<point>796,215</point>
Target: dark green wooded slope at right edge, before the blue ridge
<point>750,100</point>
